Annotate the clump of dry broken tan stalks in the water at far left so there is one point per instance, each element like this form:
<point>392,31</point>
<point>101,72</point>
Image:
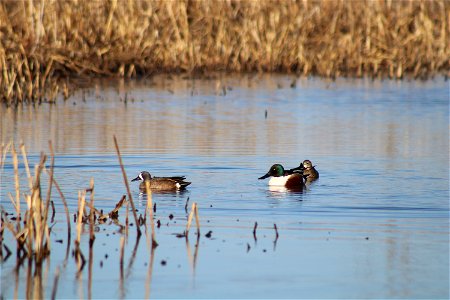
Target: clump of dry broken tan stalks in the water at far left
<point>30,226</point>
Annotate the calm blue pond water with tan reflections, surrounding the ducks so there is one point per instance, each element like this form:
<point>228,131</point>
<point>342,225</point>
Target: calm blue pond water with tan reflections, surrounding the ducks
<point>375,225</point>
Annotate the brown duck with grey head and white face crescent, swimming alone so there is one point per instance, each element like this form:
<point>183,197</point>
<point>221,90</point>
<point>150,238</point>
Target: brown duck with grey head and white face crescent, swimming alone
<point>161,183</point>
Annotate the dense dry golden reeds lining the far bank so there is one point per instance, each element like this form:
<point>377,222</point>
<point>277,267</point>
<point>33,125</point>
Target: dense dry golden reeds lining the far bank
<point>43,44</point>
